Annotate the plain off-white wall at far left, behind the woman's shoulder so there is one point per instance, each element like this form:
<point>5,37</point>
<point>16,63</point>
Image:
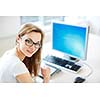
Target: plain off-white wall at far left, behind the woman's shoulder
<point>9,26</point>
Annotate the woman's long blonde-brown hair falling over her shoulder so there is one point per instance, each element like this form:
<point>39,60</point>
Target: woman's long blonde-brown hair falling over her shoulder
<point>32,63</point>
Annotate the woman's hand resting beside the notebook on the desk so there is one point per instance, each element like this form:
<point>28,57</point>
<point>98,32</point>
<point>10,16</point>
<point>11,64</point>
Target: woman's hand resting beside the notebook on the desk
<point>46,74</point>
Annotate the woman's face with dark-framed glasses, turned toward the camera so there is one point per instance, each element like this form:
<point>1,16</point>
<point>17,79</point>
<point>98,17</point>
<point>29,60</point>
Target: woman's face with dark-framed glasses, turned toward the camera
<point>29,43</point>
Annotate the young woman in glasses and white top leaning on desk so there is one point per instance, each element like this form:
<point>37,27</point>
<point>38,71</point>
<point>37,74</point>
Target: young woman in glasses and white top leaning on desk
<point>22,62</point>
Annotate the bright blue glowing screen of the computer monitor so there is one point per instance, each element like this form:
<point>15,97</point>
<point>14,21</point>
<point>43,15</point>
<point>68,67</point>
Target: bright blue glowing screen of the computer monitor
<point>70,39</point>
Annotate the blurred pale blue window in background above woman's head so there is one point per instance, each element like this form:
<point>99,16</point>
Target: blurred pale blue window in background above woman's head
<point>44,21</point>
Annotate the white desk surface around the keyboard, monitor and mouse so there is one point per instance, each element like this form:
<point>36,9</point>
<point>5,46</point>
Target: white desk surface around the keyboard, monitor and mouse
<point>93,59</point>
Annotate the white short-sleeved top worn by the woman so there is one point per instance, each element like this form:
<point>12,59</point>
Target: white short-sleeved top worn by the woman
<point>10,67</point>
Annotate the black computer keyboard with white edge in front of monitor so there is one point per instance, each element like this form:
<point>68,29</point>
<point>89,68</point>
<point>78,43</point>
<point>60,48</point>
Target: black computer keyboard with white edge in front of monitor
<point>62,63</point>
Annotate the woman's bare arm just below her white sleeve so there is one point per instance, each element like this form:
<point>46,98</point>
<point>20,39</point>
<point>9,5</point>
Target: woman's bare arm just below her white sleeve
<point>24,78</point>
